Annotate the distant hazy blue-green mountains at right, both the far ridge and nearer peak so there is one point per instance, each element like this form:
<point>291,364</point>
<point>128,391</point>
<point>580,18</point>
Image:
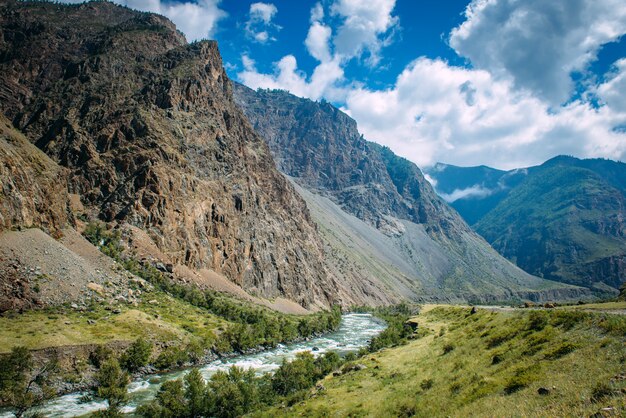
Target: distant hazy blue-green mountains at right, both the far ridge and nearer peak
<point>562,220</point>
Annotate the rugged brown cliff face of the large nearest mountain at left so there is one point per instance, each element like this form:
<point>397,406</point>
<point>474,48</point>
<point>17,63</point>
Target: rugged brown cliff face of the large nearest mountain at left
<point>145,126</point>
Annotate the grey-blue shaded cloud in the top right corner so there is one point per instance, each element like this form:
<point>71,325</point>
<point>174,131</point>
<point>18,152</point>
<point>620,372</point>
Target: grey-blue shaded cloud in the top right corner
<point>538,44</point>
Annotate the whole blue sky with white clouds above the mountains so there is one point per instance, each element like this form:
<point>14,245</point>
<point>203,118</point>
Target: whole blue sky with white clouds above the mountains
<point>504,83</point>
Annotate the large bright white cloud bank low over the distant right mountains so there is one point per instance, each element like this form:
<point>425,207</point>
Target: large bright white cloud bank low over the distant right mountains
<point>437,112</point>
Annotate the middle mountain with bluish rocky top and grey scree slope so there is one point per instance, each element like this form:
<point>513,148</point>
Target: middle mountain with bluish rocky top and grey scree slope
<point>376,211</point>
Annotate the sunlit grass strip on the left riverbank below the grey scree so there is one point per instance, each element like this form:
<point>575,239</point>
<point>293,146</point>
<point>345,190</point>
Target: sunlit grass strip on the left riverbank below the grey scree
<point>168,320</point>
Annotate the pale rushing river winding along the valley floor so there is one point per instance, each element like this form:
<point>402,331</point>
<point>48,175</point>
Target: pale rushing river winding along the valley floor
<point>354,332</point>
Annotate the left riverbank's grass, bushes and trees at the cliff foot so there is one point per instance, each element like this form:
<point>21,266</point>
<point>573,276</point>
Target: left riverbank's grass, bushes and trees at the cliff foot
<point>177,325</point>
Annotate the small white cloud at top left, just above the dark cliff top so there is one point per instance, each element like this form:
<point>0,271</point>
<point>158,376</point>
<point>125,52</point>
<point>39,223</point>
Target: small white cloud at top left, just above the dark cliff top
<point>197,20</point>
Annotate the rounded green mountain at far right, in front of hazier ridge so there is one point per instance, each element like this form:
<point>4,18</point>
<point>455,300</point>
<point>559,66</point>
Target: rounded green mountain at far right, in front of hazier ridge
<point>563,222</point>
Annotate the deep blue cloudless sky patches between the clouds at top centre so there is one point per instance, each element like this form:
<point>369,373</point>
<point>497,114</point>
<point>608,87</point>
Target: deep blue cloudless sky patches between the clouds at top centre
<point>421,30</point>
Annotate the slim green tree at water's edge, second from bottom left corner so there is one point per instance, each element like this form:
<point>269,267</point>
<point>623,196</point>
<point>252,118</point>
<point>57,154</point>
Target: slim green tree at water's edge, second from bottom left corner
<point>112,386</point>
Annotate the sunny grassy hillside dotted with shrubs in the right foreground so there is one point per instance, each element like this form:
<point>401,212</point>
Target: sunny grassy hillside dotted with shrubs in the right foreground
<point>518,363</point>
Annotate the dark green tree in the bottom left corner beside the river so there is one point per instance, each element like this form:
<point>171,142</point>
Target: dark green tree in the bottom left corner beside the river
<point>23,385</point>
